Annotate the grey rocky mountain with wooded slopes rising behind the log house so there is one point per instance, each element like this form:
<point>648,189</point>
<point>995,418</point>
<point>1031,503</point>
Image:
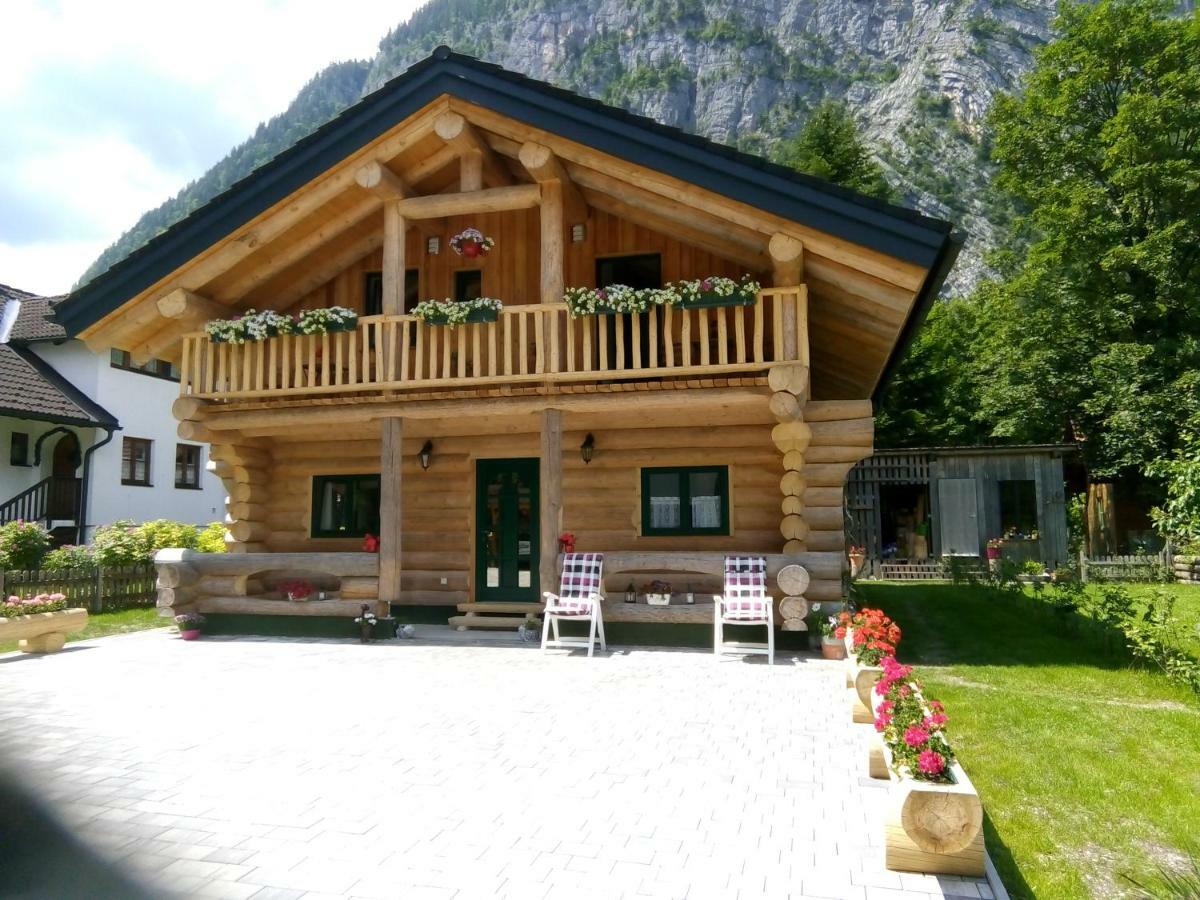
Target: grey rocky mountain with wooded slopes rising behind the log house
<point>920,75</point>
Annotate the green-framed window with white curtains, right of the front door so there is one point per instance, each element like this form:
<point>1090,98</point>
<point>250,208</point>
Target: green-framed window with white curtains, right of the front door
<point>686,500</point>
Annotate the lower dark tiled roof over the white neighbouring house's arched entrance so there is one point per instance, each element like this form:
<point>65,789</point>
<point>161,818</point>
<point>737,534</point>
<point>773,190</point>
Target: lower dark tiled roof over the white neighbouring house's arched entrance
<point>33,389</point>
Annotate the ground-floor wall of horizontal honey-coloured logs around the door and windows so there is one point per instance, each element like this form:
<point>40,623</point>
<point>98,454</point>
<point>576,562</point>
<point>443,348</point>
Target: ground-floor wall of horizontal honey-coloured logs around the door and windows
<point>602,500</point>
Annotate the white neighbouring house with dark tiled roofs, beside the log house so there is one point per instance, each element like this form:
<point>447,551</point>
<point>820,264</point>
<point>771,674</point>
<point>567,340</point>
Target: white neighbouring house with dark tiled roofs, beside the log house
<point>89,439</point>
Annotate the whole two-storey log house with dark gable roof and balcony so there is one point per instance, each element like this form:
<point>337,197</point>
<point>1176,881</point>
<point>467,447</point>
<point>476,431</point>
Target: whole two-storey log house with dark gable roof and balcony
<point>709,431</point>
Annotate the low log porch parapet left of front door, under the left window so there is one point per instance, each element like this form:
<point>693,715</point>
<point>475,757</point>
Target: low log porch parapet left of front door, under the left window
<point>245,584</point>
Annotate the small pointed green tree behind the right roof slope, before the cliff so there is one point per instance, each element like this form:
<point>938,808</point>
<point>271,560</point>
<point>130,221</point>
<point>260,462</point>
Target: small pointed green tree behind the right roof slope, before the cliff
<point>830,147</point>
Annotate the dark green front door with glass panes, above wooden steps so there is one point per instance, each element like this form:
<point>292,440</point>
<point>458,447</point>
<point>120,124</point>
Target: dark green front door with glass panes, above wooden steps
<point>507,530</point>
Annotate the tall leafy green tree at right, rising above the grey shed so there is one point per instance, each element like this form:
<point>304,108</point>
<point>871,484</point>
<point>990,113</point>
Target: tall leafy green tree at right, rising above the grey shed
<point>1099,332</point>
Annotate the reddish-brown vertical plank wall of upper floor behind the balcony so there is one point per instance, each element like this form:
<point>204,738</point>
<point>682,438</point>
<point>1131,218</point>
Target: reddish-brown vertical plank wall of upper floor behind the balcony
<point>511,272</point>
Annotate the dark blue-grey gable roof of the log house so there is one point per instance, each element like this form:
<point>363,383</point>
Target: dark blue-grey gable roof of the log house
<point>890,230</point>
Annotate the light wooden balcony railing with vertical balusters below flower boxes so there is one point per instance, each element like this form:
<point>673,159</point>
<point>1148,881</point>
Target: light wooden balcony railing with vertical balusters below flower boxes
<point>535,344</point>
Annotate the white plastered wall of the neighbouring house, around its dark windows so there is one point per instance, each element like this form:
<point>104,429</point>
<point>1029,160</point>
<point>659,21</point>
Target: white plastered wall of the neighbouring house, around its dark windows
<point>142,405</point>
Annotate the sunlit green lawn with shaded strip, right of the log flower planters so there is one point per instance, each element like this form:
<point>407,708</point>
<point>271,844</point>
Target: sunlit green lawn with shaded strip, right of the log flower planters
<point>1089,767</point>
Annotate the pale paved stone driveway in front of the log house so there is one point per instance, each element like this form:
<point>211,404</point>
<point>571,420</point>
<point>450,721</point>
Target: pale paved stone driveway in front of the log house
<point>283,769</point>
